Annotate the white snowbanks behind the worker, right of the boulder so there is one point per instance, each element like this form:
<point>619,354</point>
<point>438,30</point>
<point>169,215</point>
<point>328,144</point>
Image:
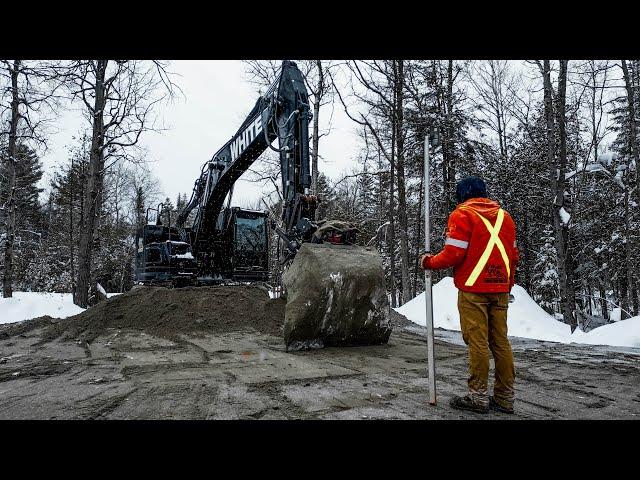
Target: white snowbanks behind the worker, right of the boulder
<point>525,319</point>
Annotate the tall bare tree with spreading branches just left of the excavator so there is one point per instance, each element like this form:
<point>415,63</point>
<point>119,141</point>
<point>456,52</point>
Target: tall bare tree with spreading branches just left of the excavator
<point>118,97</point>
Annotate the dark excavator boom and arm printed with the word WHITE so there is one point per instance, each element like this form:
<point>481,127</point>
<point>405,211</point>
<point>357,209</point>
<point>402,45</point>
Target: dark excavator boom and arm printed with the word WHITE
<point>282,113</point>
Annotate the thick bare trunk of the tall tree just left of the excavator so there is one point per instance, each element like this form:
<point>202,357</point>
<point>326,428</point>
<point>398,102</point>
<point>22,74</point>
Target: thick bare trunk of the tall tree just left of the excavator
<point>93,189</point>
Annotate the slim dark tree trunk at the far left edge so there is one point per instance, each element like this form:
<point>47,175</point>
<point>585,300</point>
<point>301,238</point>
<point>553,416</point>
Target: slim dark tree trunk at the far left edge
<point>10,204</point>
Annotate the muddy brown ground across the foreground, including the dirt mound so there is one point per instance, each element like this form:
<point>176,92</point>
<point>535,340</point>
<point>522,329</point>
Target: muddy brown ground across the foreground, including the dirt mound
<point>219,354</point>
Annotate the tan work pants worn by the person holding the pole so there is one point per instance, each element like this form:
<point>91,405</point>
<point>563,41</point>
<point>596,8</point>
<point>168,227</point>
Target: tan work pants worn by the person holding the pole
<point>483,319</point>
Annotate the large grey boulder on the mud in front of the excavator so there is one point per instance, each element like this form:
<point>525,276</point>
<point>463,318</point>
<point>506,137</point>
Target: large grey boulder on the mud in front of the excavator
<point>335,296</point>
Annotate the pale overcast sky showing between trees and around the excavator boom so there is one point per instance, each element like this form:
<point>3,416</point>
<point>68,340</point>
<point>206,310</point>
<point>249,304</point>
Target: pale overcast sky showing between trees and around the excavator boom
<point>217,99</point>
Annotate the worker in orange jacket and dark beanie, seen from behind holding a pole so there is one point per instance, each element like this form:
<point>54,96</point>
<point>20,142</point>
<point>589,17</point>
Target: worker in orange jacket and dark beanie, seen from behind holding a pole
<point>481,247</point>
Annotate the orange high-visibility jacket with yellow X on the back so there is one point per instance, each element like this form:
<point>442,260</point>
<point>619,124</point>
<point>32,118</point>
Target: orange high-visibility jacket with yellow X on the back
<point>481,246</point>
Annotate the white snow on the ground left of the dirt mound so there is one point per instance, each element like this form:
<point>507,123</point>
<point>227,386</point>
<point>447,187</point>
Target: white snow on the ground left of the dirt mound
<point>25,305</point>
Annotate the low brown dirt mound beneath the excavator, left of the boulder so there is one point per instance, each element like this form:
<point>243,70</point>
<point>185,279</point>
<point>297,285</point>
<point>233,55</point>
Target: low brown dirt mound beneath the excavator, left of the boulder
<point>168,313</point>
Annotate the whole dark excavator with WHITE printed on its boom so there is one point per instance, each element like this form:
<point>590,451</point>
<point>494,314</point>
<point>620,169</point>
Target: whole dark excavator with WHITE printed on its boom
<point>225,243</point>
